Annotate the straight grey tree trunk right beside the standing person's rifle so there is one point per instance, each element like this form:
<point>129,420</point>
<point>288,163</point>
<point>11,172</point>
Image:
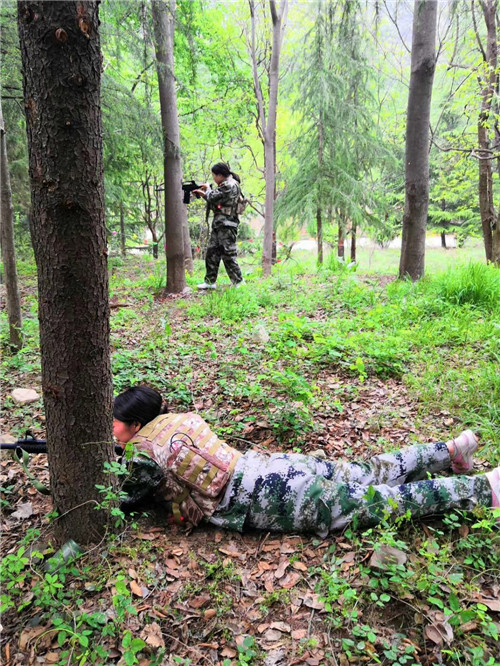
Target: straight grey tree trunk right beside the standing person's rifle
<point>175,211</point>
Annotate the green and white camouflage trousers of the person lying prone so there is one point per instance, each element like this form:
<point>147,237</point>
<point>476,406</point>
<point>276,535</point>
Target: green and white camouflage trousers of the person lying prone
<point>297,493</point>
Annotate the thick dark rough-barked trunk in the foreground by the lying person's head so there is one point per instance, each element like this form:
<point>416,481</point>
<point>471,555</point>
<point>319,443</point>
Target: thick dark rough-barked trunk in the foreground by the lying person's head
<point>61,57</point>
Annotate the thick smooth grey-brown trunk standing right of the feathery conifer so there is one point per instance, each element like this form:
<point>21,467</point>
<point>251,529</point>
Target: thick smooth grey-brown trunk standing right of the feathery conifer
<point>423,63</point>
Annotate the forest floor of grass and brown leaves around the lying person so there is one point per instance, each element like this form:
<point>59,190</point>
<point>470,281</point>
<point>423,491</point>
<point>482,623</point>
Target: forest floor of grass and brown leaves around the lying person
<point>347,363</point>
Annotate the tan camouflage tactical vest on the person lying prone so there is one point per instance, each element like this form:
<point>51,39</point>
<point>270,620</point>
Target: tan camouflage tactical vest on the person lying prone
<point>196,464</point>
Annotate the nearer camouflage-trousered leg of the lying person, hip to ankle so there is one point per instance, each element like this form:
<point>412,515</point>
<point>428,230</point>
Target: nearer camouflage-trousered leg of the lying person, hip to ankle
<point>288,493</point>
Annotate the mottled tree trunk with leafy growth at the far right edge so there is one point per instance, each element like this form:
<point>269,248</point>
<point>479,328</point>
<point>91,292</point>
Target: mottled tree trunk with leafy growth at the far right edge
<point>488,83</point>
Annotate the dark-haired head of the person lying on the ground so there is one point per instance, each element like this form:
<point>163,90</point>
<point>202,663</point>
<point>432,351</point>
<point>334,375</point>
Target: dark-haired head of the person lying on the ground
<point>134,408</point>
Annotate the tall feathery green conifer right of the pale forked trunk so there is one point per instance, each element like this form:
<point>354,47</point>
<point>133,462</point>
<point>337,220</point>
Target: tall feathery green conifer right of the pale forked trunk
<point>338,141</point>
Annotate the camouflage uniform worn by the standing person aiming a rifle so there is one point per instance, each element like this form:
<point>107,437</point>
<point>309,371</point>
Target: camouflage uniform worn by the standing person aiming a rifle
<point>222,244</point>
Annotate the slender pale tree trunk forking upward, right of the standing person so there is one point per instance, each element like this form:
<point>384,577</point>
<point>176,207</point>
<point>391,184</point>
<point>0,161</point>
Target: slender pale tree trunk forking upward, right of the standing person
<point>267,125</point>
